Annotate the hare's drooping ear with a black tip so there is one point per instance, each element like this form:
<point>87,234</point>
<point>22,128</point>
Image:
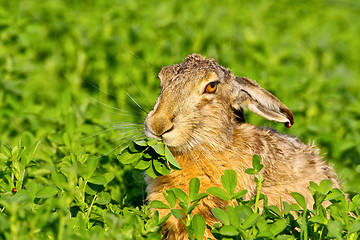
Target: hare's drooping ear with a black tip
<point>247,93</point>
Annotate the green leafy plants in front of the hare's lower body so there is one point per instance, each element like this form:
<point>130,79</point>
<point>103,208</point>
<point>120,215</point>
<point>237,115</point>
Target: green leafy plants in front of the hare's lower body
<point>340,220</point>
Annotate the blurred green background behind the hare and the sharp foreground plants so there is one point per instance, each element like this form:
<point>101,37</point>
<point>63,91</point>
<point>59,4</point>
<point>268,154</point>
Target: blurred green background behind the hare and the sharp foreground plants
<point>66,68</point>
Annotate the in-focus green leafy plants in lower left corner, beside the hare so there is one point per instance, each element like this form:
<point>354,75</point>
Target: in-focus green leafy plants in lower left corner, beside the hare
<point>71,198</point>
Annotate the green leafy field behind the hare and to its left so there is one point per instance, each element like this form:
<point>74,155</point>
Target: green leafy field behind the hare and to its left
<point>67,68</point>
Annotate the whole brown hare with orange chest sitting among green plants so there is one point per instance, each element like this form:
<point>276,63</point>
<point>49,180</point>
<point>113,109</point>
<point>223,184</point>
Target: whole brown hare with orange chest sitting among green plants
<point>199,116</point>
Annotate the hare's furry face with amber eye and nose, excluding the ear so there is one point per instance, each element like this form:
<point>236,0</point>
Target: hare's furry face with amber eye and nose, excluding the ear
<point>190,109</point>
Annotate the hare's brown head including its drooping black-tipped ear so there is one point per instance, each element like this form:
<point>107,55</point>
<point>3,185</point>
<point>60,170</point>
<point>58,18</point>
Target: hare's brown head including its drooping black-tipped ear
<point>201,102</point>
